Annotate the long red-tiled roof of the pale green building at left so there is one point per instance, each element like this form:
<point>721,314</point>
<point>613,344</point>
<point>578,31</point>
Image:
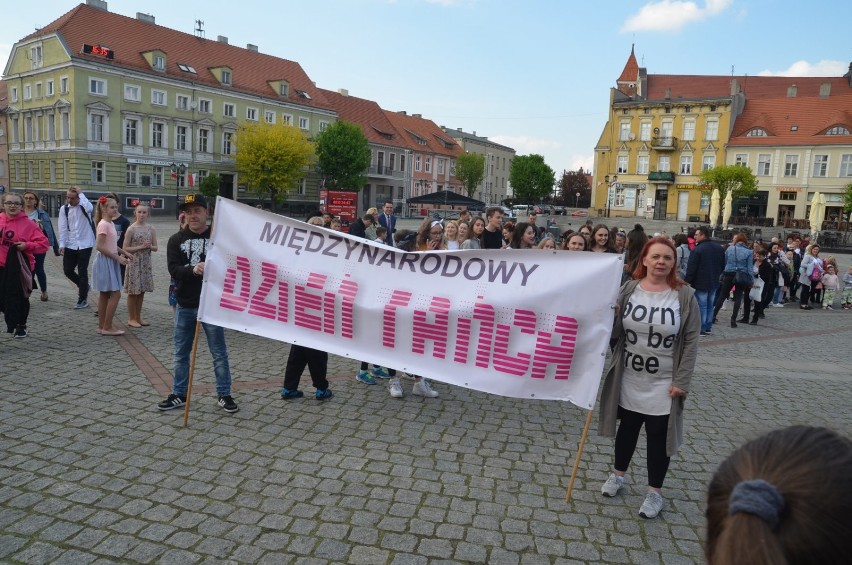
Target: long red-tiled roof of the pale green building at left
<point>129,38</point>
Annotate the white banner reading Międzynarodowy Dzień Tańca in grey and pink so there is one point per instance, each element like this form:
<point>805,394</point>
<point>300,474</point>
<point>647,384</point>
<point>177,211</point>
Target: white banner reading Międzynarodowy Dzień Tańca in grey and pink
<point>523,324</point>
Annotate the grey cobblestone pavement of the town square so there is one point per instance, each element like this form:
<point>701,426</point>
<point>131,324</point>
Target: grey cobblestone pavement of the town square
<point>92,472</point>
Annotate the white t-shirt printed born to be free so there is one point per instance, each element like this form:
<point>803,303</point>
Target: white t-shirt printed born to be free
<point>651,322</point>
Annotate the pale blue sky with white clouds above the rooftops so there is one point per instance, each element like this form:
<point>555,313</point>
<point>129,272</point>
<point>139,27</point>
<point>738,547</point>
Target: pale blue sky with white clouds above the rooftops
<point>533,75</point>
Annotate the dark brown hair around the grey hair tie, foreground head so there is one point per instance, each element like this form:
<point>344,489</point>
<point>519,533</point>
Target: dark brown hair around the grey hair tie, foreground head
<point>809,466</point>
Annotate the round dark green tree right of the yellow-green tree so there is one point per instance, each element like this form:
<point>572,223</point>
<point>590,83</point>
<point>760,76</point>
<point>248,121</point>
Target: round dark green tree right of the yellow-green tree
<point>343,155</point>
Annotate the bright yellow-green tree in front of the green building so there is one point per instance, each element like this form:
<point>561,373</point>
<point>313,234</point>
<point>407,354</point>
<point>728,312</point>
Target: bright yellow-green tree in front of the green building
<point>271,158</point>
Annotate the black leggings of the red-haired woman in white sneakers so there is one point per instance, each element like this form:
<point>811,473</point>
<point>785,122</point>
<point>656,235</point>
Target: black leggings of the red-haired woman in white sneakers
<point>656,430</point>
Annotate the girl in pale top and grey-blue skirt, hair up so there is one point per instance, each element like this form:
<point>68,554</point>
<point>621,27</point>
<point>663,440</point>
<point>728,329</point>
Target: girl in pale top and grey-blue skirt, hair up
<point>106,273</point>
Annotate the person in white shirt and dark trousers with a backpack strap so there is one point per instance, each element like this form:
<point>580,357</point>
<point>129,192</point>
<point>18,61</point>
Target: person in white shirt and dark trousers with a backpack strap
<point>76,241</point>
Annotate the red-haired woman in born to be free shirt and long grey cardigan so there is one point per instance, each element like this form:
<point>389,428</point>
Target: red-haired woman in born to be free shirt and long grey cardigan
<point>656,343</point>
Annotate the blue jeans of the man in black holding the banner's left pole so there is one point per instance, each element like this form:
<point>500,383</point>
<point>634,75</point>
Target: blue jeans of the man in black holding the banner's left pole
<point>184,334</point>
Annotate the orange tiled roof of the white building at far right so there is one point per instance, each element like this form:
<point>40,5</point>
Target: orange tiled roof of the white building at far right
<point>811,116</point>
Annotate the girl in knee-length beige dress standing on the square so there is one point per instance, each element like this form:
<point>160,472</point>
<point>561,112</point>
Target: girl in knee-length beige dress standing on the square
<point>141,240</point>
